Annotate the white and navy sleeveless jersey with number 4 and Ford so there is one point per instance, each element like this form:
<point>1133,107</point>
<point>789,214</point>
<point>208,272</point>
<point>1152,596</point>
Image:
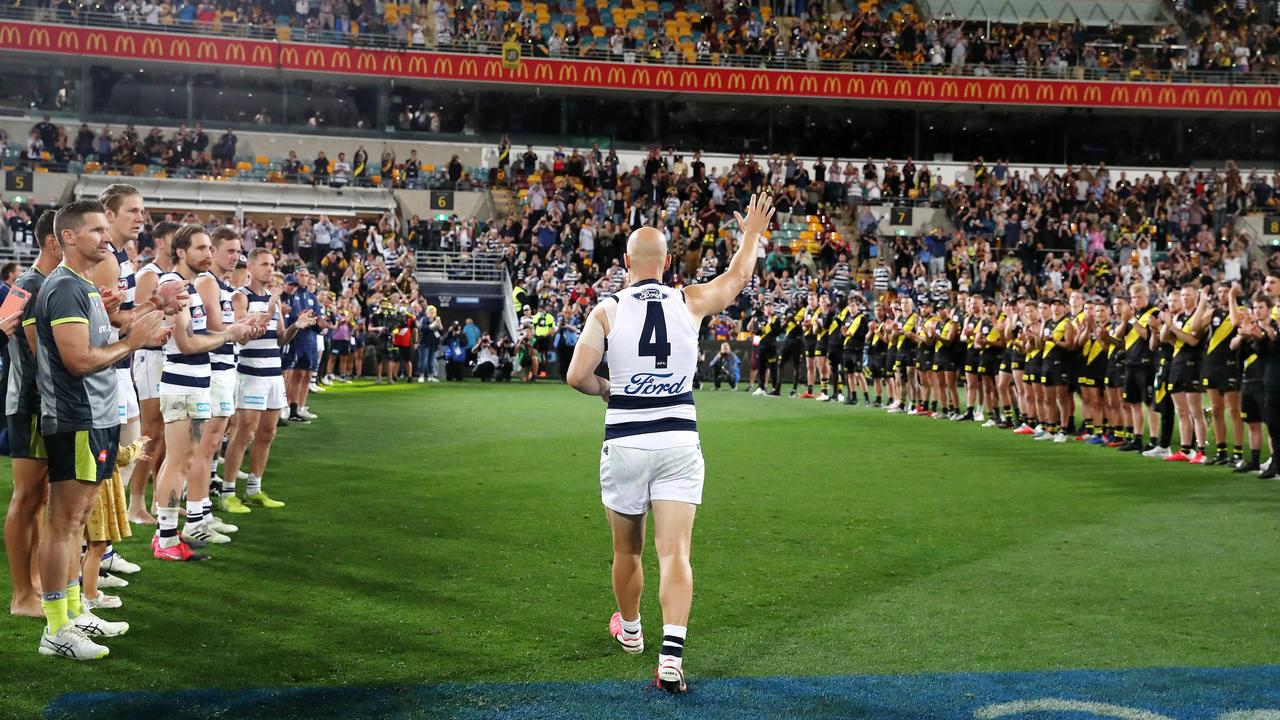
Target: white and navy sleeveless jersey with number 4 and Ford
<point>653,353</point>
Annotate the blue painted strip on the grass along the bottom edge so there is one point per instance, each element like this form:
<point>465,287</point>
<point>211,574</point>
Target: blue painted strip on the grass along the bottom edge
<point>1173,694</point>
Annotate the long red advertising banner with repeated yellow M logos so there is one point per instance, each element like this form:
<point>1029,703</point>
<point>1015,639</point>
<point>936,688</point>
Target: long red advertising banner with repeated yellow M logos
<point>172,48</point>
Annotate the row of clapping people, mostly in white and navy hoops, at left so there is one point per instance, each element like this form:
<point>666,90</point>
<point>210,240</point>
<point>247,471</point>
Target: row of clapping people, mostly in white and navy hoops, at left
<point>182,357</point>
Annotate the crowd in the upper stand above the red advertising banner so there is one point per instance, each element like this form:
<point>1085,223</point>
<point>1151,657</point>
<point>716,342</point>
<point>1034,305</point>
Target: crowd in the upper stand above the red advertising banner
<point>1227,38</point>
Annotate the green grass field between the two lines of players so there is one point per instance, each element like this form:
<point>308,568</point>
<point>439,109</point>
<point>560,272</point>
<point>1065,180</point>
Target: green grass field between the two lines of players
<point>454,534</point>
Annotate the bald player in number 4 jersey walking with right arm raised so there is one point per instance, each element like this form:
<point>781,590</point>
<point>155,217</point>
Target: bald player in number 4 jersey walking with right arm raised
<point>652,457</point>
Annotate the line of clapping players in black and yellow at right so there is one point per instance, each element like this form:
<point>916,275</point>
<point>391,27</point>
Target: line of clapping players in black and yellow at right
<point>1028,366</point>
